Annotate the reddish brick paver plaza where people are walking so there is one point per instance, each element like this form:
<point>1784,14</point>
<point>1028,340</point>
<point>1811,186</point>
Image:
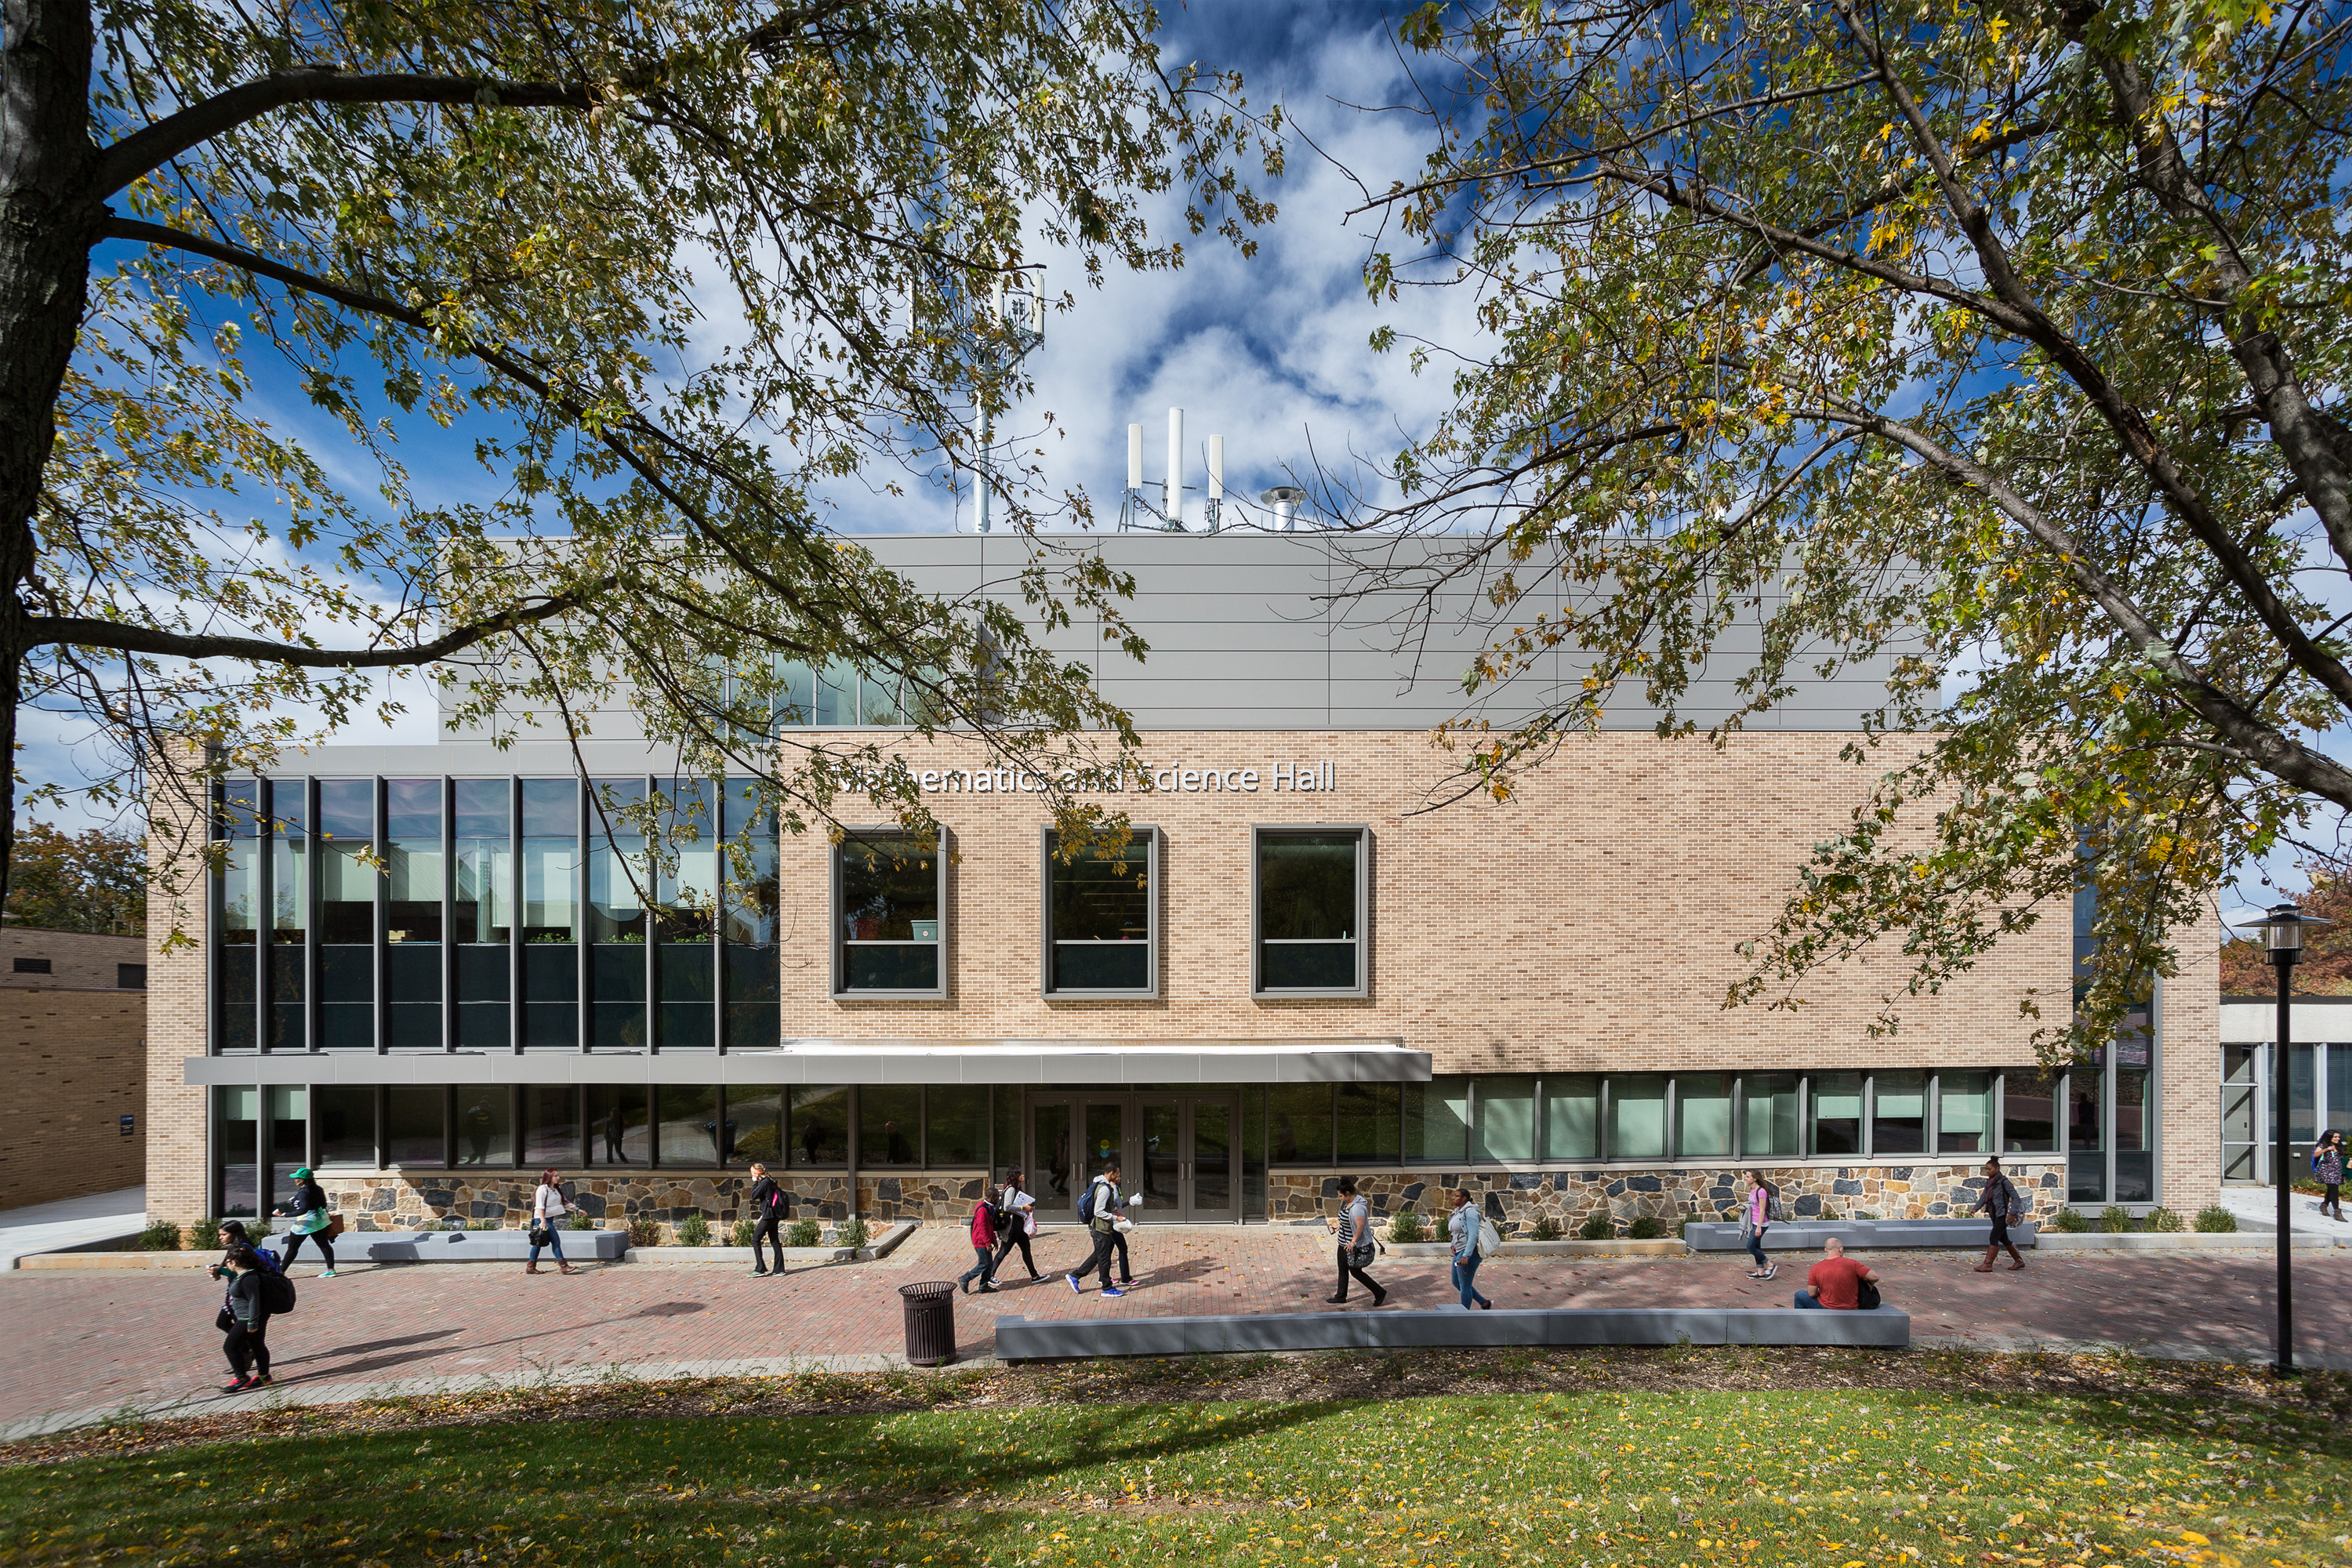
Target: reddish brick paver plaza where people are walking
<point>98,1341</point>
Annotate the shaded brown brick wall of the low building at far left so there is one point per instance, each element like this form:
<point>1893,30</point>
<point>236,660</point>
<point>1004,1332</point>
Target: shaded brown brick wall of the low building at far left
<point>76,1066</point>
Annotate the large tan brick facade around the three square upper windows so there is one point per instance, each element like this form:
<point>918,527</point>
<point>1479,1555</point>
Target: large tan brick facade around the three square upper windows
<point>1586,925</point>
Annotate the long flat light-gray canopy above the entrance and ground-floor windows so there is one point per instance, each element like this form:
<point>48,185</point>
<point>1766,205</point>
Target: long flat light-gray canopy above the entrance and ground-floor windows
<point>864,1061</point>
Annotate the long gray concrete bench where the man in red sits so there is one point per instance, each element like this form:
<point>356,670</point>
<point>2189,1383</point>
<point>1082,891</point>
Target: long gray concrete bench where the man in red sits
<point>1022,1339</point>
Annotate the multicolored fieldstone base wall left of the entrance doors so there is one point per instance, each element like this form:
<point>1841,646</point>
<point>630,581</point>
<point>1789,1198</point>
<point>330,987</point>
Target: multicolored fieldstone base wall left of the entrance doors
<point>432,1200</point>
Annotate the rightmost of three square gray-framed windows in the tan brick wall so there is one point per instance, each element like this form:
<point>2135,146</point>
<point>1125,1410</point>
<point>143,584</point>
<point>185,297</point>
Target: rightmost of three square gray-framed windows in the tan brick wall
<point>1309,911</point>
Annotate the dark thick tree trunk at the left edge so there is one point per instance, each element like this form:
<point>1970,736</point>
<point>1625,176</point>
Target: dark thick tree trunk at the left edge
<point>48,222</point>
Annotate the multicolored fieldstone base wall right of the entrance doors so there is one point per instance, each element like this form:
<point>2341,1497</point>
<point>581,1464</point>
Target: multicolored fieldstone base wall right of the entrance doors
<point>1516,1200</point>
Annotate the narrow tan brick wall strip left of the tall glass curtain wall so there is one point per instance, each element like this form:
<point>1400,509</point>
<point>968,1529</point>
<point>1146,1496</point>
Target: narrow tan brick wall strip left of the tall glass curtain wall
<point>175,1000</point>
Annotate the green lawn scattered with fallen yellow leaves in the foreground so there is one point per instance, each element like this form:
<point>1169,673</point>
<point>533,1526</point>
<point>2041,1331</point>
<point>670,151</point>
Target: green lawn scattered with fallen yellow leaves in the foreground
<point>1833,1477</point>
